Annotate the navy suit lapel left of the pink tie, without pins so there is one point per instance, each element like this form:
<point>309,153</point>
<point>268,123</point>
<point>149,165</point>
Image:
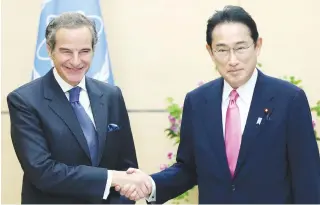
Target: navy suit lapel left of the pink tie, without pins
<point>213,123</point>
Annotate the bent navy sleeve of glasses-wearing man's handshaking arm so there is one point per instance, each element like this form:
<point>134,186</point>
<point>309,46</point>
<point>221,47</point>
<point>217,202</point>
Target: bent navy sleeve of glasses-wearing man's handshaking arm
<point>181,176</point>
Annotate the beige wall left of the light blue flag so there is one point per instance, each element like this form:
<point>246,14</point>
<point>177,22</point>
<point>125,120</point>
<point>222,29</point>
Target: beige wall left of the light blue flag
<point>19,36</point>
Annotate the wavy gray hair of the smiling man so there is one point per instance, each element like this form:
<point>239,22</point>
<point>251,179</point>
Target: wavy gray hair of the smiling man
<point>69,20</point>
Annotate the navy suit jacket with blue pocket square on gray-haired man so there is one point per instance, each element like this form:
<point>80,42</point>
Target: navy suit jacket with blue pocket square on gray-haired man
<point>52,149</point>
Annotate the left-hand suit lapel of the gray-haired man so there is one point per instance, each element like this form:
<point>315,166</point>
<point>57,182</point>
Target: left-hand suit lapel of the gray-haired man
<point>61,106</point>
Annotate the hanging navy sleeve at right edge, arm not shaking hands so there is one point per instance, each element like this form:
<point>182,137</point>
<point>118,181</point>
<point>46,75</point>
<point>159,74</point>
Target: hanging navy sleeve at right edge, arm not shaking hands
<point>303,153</point>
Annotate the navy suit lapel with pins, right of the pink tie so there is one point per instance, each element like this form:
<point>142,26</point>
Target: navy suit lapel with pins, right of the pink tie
<point>261,99</point>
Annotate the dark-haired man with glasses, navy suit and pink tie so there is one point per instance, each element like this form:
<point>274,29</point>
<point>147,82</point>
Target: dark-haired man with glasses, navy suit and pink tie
<point>245,137</point>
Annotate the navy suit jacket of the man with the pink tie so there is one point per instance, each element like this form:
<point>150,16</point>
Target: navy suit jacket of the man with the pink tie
<point>278,160</point>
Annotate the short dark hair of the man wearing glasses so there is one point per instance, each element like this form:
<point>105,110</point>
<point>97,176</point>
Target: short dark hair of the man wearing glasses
<point>232,14</point>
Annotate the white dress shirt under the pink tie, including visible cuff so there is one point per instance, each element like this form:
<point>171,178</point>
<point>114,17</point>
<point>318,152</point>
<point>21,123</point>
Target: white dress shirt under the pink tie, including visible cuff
<point>244,101</point>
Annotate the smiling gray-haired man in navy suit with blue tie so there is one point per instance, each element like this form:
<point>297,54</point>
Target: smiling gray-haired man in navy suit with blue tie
<point>70,132</point>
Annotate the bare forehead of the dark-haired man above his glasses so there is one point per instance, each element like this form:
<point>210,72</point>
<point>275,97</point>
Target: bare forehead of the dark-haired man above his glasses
<point>231,34</point>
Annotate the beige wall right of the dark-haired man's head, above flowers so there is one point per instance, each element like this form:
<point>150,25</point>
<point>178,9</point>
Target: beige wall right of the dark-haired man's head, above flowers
<point>290,32</point>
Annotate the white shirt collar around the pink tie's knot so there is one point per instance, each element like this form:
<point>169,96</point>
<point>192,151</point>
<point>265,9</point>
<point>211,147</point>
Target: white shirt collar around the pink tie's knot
<point>245,91</point>
